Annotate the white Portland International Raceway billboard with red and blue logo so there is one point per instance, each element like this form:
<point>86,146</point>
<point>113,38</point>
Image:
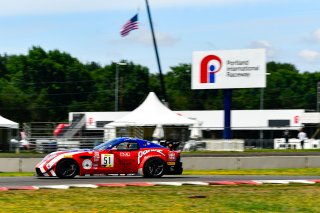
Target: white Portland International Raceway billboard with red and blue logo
<point>227,69</point>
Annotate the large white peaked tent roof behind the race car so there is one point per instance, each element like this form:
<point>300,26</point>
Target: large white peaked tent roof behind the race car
<point>152,113</point>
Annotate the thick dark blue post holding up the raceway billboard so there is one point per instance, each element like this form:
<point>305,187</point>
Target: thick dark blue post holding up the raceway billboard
<point>227,95</point>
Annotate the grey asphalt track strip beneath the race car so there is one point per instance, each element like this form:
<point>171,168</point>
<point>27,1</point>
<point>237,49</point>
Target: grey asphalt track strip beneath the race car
<point>35,181</point>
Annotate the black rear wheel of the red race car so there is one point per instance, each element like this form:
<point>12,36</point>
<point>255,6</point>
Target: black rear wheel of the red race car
<point>154,168</point>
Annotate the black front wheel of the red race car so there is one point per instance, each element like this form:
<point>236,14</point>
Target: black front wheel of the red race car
<point>67,168</point>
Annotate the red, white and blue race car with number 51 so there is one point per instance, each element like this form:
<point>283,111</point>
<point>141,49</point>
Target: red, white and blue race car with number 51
<point>117,156</point>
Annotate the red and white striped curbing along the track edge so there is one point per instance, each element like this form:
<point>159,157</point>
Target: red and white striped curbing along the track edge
<point>144,184</point>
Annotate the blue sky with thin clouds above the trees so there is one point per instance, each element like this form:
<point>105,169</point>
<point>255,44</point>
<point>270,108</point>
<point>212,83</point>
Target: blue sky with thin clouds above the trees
<point>90,30</point>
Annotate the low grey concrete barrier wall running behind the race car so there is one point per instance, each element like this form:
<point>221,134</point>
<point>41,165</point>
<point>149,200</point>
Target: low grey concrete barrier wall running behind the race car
<point>196,163</point>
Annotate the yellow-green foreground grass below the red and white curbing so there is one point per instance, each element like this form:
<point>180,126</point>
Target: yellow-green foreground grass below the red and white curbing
<point>265,198</point>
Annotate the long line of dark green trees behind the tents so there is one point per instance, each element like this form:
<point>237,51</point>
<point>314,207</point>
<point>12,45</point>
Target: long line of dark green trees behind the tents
<point>45,86</point>
